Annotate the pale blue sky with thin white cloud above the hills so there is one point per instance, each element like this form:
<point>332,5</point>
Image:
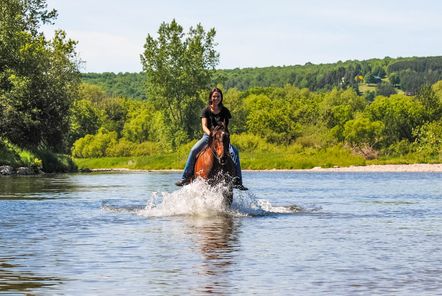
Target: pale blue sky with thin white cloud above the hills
<point>111,34</point>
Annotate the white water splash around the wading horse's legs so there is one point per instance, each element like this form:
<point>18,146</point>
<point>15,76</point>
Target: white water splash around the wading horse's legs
<point>201,199</point>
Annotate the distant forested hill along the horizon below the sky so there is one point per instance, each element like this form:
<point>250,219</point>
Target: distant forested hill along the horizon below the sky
<point>407,74</point>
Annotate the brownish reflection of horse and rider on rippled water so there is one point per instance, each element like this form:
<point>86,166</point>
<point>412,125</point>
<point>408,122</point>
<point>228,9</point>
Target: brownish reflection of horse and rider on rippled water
<point>217,239</point>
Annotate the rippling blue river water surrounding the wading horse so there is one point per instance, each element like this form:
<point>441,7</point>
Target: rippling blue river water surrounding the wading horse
<point>292,233</point>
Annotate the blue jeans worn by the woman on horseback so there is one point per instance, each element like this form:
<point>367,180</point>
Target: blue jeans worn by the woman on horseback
<point>190,163</point>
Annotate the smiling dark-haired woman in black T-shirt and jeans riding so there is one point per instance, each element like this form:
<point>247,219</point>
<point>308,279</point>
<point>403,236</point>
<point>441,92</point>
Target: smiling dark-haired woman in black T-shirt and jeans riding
<point>211,116</point>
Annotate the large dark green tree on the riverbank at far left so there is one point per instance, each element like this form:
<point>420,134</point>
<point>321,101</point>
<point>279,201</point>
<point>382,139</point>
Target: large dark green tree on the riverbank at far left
<point>38,77</point>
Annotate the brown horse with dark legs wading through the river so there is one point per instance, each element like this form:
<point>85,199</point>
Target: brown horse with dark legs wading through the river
<point>214,163</point>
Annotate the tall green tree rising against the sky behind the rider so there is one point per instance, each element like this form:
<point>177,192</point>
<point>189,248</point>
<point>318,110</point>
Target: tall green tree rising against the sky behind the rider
<point>178,67</point>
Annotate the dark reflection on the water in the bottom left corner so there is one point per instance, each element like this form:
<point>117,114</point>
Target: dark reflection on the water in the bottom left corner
<point>13,279</point>
